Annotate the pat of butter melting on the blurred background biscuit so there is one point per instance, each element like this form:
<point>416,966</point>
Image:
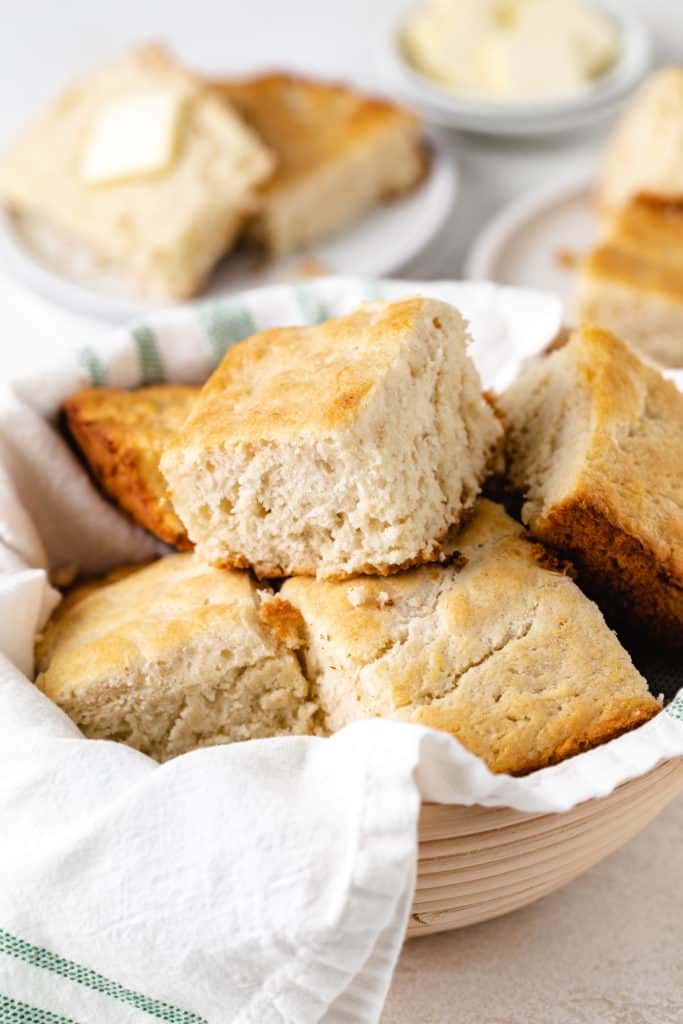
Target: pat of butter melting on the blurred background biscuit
<point>136,137</point>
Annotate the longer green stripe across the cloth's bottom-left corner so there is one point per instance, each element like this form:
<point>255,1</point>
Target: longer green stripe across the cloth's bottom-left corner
<point>37,957</point>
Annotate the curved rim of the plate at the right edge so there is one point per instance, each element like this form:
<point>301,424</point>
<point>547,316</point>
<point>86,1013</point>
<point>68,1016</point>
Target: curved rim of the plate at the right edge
<point>492,240</point>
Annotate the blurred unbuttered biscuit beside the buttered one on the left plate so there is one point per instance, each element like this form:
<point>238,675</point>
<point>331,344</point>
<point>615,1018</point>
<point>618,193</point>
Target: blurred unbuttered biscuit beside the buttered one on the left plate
<point>339,154</point>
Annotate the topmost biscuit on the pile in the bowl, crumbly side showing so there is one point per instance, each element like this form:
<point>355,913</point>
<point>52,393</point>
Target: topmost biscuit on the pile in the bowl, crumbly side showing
<point>351,447</point>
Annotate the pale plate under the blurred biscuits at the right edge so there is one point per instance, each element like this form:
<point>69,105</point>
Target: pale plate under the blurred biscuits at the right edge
<point>522,245</point>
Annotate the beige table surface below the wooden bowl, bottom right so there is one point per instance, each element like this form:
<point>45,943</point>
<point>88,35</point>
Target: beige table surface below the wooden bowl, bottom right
<point>606,950</point>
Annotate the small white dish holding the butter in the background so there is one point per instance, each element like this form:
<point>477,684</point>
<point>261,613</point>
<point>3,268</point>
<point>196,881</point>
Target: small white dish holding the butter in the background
<point>599,102</point>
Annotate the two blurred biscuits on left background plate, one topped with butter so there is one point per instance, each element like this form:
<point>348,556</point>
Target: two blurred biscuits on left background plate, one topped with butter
<point>153,175</point>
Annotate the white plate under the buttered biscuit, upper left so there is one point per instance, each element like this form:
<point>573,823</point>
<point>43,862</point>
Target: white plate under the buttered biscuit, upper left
<point>383,242</point>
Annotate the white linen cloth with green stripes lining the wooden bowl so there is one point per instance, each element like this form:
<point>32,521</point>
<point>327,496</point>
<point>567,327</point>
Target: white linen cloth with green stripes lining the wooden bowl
<point>263,882</point>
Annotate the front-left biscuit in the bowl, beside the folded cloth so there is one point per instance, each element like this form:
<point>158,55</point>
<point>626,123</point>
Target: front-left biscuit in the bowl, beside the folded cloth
<point>173,657</point>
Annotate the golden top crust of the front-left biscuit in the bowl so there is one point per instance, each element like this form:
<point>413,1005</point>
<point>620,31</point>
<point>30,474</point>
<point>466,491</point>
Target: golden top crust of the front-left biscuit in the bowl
<point>145,614</point>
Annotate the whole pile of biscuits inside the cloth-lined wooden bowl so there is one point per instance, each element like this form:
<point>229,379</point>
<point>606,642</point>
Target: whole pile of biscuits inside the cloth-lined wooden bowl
<point>338,561</point>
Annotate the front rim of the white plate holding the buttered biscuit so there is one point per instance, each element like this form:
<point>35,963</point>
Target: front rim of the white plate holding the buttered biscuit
<point>441,191</point>
